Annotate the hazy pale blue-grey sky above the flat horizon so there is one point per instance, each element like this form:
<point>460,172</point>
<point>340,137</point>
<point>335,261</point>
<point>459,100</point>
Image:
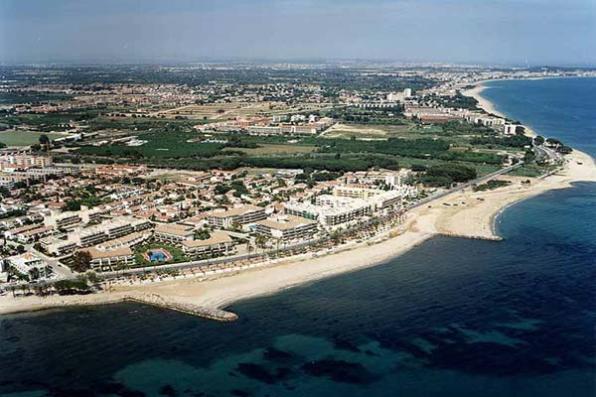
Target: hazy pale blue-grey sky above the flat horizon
<point>484,31</point>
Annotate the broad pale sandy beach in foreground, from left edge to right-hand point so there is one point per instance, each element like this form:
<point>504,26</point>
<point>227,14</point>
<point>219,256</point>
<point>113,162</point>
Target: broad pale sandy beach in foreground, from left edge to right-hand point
<point>463,214</point>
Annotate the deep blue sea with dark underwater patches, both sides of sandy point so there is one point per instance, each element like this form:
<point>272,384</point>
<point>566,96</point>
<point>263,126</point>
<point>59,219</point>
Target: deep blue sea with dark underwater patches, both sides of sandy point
<point>452,317</point>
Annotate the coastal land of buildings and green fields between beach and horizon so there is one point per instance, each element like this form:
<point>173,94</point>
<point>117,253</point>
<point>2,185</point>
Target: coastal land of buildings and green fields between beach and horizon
<point>150,172</point>
